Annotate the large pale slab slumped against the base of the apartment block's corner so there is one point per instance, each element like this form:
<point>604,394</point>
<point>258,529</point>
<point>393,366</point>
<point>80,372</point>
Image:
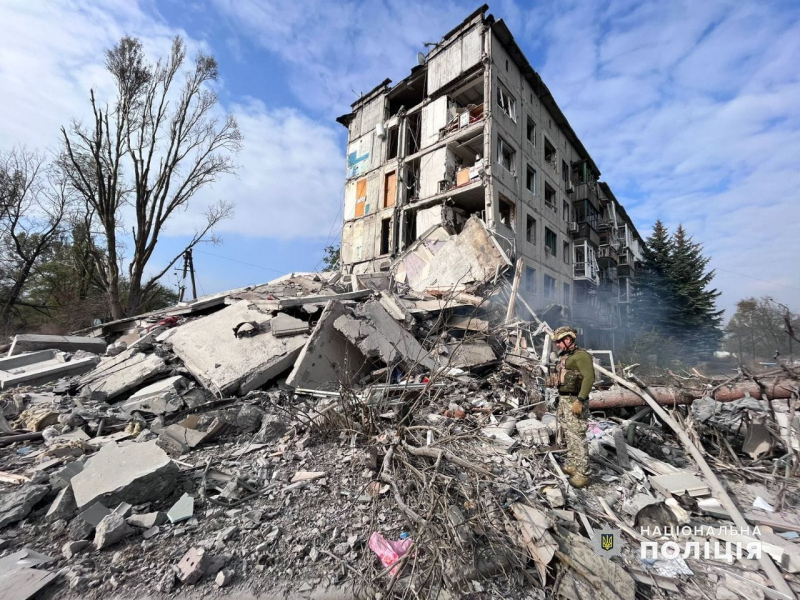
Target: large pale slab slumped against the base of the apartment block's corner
<point>433,264</point>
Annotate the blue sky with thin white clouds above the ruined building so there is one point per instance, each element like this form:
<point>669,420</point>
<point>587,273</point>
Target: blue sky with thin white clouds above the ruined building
<point>689,109</point>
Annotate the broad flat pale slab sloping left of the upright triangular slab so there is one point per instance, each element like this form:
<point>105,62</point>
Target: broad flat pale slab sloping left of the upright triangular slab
<point>226,364</point>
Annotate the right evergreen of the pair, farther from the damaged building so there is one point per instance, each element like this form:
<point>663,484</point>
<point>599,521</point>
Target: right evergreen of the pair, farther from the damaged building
<point>696,319</point>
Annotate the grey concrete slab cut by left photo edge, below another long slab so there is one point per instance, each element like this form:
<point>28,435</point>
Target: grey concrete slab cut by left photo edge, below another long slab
<point>40,367</point>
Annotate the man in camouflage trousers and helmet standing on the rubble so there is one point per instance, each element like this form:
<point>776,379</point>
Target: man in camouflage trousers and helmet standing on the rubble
<point>574,378</point>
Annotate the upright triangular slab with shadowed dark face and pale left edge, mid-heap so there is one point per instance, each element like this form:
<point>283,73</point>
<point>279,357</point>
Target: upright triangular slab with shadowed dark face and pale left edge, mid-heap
<point>328,359</point>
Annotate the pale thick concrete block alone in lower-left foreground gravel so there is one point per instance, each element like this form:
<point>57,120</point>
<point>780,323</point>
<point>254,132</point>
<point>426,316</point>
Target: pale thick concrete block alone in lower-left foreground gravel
<point>136,473</point>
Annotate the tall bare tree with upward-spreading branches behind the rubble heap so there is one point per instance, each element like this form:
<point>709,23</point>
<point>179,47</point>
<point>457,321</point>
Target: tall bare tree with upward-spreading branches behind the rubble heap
<point>153,150</point>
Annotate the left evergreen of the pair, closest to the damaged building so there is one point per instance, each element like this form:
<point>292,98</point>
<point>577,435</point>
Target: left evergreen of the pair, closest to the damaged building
<point>653,302</point>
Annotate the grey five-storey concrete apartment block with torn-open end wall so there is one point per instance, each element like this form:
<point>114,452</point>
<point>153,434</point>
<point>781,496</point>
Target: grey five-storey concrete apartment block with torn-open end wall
<point>474,130</point>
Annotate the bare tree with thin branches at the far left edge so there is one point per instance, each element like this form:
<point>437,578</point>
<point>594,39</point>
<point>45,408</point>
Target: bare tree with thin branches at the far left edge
<point>33,203</point>
